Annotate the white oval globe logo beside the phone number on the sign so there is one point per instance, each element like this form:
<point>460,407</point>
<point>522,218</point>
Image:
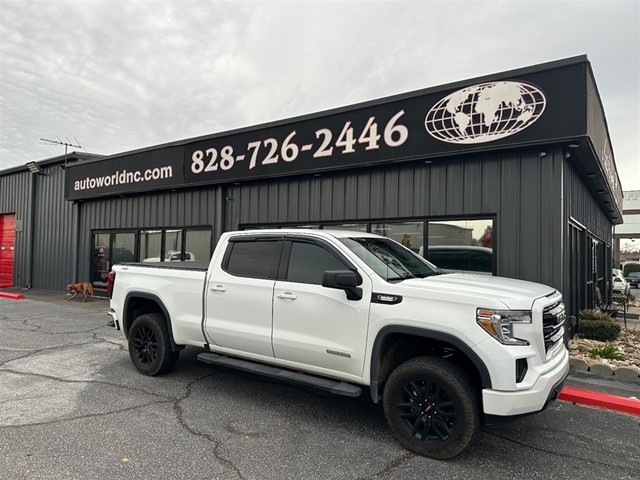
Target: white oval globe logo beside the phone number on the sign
<point>485,112</point>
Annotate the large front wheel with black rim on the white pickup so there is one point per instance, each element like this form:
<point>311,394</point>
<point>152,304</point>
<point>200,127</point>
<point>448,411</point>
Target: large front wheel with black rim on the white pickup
<point>432,407</point>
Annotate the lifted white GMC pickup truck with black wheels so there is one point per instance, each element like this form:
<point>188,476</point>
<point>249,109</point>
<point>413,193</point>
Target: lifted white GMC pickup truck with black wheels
<point>347,311</point>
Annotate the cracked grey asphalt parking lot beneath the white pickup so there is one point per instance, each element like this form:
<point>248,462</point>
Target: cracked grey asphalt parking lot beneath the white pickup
<point>73,407</point>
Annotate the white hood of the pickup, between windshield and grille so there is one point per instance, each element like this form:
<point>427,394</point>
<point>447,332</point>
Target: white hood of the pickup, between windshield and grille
<point>515,294</point>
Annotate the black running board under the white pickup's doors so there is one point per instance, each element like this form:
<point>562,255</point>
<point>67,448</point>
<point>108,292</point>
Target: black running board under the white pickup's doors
<point>334,386</point>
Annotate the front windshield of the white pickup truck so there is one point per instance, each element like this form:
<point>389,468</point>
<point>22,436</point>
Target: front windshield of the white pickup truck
<point>390,260</point>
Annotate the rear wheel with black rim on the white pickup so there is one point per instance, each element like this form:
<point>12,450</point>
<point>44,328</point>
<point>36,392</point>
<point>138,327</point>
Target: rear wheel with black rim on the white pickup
<point>149,345</point>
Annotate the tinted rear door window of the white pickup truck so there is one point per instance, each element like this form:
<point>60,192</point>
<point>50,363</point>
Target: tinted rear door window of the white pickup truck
<point>253,259</point>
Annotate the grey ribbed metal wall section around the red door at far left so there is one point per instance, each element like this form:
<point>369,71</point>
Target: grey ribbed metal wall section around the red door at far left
<point>15,197</point>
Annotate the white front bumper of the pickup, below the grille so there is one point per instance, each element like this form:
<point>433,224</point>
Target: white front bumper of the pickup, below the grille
<point>531,400</point>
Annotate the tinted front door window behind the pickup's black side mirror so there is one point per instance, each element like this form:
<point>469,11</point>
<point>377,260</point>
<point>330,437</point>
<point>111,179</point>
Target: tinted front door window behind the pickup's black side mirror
<point>309,261</point>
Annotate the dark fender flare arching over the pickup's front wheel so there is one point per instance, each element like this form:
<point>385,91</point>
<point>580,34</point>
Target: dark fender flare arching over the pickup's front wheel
<point>430,334</point>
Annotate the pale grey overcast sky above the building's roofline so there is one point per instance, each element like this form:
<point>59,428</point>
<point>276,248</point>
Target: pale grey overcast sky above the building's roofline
<point>121,75</point>
